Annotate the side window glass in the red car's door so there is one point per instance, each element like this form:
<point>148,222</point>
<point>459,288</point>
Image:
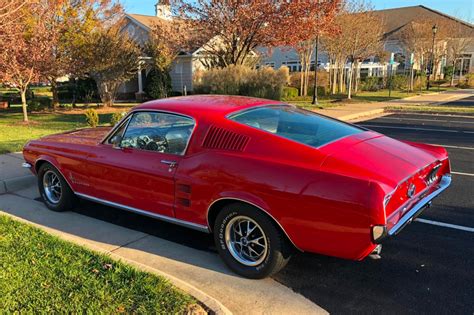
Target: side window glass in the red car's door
<point>160,132</point>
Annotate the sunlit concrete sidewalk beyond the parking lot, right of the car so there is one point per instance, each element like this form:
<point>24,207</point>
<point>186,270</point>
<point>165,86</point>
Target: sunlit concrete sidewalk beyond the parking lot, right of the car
<point>353,112</point>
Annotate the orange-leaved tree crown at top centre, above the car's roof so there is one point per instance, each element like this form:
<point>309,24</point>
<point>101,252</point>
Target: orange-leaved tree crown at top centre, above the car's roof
<point>236,28</point>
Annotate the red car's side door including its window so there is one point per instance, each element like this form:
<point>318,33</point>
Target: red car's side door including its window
<point>138,171</point>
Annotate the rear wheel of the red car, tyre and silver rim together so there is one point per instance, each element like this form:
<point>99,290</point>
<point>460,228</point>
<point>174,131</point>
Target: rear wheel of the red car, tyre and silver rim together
<point>249,242</point>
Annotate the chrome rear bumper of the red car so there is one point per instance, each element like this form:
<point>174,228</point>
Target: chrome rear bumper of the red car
<point>416,210</point>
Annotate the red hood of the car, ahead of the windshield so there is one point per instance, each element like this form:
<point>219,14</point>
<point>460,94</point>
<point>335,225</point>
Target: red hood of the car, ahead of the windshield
<point>86,136</point>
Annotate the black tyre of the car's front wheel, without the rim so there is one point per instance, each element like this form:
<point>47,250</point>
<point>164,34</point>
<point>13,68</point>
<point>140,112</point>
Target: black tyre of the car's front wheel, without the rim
<point>66,200</point>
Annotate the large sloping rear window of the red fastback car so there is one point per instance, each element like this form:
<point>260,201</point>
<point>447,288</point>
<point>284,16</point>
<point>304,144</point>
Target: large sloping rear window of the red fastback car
<point>295,124</point>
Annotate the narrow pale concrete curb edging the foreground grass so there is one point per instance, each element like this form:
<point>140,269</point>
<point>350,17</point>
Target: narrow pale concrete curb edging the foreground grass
<point>212,304</point>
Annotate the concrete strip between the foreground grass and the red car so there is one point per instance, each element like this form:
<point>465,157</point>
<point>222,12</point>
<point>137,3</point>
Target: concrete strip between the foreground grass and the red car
<point>199,273</point>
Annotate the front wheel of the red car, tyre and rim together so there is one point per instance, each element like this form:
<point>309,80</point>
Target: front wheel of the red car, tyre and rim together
<point>55,191</point>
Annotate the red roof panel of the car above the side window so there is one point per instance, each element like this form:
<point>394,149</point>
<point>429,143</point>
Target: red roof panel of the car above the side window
<point>198,106</point>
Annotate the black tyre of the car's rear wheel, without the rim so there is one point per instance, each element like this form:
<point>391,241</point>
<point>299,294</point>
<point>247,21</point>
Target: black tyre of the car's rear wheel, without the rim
<point>278,251</point>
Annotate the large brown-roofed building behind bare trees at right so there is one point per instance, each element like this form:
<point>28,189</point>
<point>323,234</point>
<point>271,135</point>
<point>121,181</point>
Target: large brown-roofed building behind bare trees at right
<point>395,21</point>
